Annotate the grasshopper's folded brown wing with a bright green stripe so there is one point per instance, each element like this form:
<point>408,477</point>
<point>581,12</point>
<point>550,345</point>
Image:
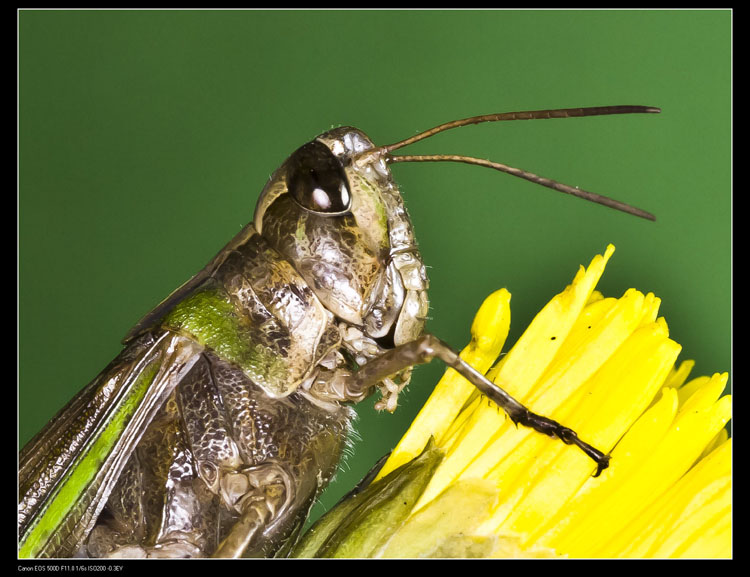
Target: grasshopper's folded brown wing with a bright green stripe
<point>68,470</point>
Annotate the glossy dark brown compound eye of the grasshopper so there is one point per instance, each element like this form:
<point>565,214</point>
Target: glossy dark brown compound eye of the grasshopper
<point>317,181</point>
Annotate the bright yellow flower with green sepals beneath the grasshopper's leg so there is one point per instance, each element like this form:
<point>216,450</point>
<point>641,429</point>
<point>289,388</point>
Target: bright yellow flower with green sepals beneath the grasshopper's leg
<point>464,481</point>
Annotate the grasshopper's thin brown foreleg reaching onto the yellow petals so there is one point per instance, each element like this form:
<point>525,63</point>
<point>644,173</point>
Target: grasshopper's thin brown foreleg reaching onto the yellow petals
<point>427,347</point>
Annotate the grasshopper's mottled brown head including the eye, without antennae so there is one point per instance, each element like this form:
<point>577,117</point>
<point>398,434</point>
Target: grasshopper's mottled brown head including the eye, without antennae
<point>333,210</point>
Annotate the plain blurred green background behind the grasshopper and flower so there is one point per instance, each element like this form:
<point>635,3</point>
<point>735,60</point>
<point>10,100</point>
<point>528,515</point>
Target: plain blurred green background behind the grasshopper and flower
<point>146,136</point>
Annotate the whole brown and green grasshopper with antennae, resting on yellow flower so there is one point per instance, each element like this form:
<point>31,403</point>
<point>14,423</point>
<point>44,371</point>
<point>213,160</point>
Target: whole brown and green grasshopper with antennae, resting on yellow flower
<point>223,418</point>
